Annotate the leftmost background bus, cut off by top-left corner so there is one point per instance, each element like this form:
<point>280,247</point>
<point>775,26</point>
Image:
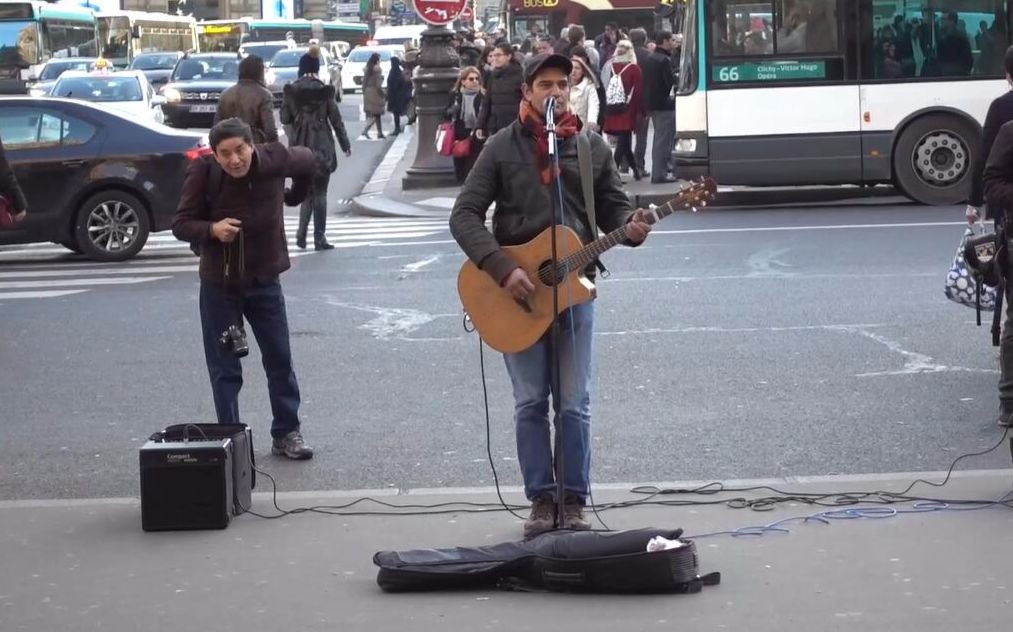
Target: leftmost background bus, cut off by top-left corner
<point>34,33</point>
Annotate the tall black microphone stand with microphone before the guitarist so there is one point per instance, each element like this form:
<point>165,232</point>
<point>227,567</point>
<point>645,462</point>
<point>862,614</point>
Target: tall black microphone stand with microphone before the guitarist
<point>556,338</point>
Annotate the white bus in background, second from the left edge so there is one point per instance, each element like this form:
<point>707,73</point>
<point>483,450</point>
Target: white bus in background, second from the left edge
<point>126,34</point>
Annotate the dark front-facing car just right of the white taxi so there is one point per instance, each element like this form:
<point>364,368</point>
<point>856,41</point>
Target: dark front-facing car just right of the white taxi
<point>196,87</point>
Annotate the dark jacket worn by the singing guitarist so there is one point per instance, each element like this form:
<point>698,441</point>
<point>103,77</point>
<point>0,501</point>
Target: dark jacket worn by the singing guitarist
<point>507,174</point>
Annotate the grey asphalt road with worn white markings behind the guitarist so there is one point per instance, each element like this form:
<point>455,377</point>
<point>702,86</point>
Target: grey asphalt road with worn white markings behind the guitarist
<point>734,345</point>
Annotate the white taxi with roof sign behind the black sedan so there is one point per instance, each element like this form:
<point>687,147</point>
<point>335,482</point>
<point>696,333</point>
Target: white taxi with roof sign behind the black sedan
<point>127,92</point>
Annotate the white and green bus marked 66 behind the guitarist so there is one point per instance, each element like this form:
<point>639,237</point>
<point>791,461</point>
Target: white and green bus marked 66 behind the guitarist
<point>788,93</point>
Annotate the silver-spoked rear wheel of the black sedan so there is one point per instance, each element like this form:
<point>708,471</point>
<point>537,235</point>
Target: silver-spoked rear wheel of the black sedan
<point>112,226</point>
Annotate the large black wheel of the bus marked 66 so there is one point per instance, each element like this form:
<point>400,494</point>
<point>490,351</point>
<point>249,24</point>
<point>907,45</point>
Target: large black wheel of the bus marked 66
<point>932,162</point>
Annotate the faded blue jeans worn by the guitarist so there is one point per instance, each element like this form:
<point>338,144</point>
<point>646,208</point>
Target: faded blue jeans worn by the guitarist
<point>531,373</point>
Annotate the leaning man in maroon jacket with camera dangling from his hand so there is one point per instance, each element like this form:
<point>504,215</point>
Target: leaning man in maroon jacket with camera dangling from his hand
<point>232,208</point>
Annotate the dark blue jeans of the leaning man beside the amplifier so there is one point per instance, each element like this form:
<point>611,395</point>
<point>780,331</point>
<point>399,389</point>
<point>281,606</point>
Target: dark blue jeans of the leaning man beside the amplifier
<point>263,304</point>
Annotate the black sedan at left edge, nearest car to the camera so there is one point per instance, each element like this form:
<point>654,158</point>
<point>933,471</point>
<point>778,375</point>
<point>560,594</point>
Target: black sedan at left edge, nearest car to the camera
<point>97,182</point>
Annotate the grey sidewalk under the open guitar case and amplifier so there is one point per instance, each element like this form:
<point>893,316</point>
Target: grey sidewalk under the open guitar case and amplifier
<point>87,566</point>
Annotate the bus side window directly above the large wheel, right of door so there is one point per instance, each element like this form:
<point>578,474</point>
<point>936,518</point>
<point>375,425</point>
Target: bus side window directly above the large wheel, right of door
<point>939,39</point>
